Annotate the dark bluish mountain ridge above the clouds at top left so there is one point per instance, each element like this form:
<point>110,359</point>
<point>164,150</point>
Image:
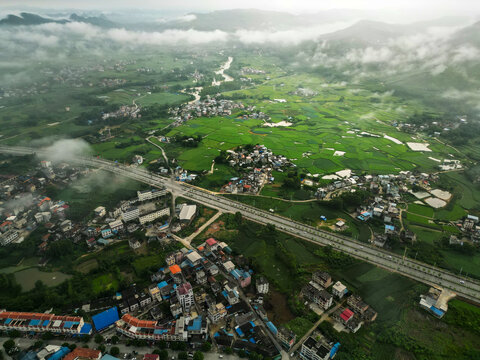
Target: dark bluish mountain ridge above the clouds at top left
<point>34,19</point>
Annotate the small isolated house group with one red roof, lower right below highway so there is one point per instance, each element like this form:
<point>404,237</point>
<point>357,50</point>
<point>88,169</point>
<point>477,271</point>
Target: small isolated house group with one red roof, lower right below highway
<point>351,317</point>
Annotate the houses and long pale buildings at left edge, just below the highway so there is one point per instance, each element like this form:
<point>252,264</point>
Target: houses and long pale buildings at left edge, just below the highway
<point>23,209</point>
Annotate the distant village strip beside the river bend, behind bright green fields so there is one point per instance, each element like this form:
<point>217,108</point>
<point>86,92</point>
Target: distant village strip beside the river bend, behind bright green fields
<point>208,107</point>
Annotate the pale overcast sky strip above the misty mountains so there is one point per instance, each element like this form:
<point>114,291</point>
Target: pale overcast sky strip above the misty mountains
<point>412,8</point>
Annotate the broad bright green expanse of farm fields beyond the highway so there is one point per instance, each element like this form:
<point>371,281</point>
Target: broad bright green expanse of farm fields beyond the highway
<point>331,131</point>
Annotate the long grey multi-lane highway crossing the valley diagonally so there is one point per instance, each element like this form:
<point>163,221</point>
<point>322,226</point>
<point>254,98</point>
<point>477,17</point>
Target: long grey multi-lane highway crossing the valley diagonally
<point>464,287</point>
